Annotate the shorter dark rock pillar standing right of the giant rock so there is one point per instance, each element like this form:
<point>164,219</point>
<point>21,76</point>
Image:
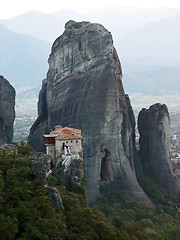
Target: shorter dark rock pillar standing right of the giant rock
<point>153,125</point>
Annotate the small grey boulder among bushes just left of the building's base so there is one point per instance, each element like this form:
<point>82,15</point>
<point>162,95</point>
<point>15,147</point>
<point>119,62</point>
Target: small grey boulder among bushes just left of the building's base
<point>41,162</point>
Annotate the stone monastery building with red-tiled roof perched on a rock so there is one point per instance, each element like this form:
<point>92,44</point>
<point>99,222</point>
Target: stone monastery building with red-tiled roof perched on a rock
<point>63,141</point>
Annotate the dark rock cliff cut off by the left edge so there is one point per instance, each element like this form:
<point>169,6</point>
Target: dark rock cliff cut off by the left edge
<point>7,112</point>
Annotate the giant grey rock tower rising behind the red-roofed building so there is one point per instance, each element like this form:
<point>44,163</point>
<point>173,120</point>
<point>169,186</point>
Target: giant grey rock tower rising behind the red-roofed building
<point>84,90</point>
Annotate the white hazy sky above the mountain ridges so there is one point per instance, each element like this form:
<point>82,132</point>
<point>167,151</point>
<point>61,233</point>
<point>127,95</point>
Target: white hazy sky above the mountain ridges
<point>10,8</point>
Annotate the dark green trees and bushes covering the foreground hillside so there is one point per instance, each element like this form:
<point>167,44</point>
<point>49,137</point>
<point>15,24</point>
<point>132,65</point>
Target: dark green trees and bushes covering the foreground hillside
<point>26,212</point>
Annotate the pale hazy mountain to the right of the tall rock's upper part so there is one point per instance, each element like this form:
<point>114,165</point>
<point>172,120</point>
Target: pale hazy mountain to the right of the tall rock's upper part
<point>158,39</point>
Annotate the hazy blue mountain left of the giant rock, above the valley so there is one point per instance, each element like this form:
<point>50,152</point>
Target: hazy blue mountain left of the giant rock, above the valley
<point>22,58</point>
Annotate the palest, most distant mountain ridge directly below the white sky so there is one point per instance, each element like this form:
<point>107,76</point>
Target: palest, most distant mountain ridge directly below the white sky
<point>125,19</point>
